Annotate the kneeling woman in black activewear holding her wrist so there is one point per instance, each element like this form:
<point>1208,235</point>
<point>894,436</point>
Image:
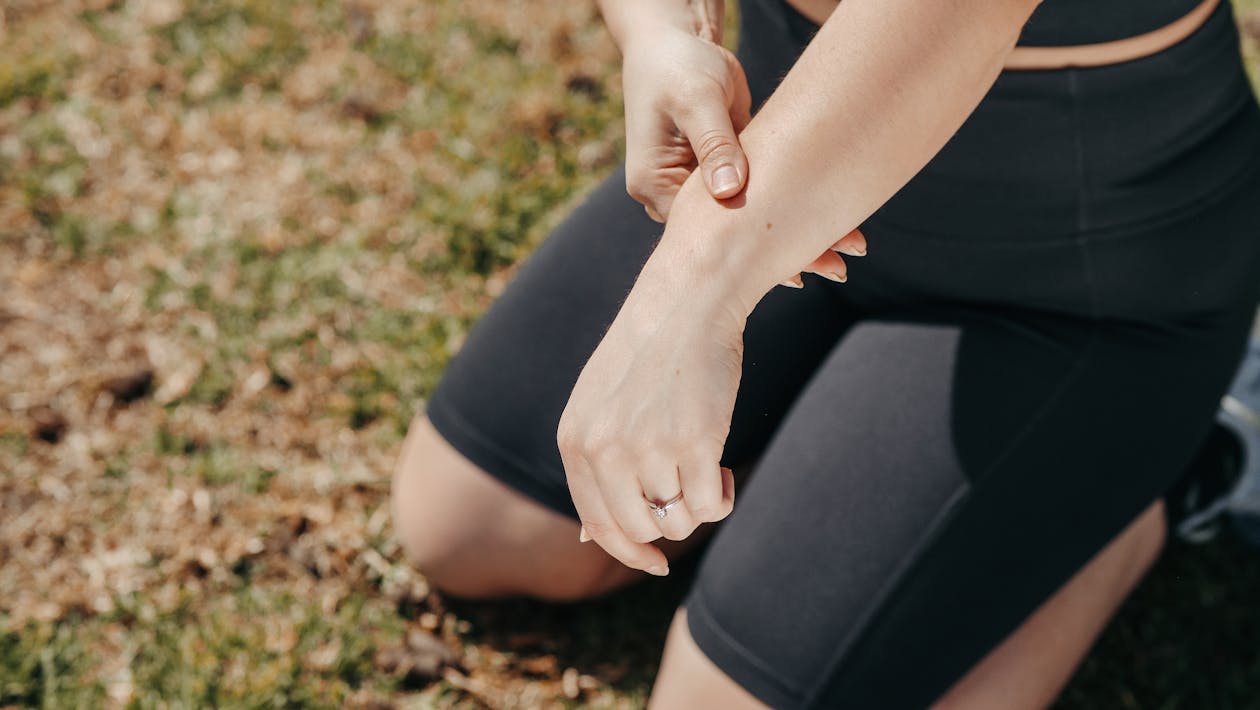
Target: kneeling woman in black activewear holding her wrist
<point>951,462</point>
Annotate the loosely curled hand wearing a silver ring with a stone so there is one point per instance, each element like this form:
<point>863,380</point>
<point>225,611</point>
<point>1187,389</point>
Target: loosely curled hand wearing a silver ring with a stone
<point>650,418</point>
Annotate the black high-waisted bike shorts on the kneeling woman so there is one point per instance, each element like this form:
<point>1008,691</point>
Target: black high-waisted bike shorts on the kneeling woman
<point>1029,358</point>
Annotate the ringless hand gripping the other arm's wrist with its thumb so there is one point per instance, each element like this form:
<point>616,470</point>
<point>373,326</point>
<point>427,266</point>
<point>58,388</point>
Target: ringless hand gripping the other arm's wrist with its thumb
<point>686,100</point>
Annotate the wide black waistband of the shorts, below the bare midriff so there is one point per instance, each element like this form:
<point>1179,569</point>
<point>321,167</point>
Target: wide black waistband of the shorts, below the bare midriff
<point>1051,153</point>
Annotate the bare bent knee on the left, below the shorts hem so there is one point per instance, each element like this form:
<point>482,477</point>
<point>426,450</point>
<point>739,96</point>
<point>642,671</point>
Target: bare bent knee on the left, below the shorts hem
<point>474,537</point>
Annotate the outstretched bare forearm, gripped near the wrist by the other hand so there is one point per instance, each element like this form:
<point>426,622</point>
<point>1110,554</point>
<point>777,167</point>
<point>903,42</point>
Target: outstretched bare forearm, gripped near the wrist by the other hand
<point>879,91</point>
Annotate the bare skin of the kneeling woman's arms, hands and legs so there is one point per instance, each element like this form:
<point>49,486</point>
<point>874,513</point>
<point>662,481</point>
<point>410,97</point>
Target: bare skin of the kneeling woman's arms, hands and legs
<point>883,86</point>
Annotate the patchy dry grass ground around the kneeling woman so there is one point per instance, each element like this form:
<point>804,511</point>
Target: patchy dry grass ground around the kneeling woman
<point>239,242</point>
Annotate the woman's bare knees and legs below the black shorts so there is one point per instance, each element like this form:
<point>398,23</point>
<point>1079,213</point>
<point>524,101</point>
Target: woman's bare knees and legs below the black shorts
<point>443,503</point>
